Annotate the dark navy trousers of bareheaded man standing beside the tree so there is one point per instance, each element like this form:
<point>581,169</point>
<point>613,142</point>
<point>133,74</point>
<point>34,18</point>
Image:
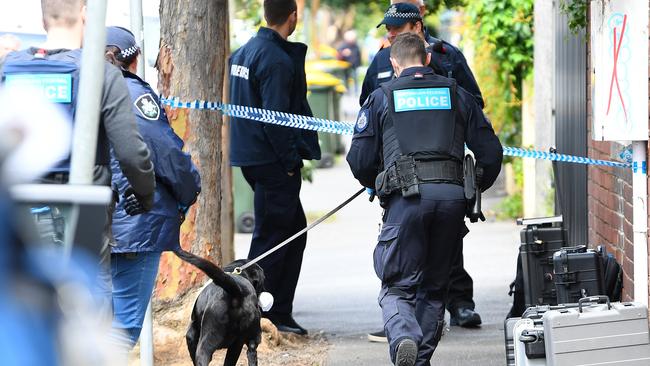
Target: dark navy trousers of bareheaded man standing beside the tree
<point>278,215</point>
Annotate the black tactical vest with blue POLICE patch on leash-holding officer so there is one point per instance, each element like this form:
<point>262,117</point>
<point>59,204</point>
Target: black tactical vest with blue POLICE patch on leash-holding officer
<point>422,119</point>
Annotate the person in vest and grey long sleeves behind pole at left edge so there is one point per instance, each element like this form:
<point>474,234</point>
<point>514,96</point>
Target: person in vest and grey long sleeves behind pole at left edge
<point>64,21</point>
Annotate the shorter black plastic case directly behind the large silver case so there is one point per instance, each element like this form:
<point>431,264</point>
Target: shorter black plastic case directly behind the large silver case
<point>578,273</point>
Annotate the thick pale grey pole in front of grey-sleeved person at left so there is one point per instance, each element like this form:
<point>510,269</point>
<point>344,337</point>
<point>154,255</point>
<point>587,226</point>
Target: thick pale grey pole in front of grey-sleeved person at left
<point>86,126</point>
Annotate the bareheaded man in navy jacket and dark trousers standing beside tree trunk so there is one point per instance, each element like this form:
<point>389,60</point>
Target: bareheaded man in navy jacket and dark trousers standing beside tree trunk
<point>269,72</point>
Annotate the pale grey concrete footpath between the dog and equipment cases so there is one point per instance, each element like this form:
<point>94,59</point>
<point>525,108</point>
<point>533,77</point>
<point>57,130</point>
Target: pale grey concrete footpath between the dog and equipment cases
<point>337,292</point>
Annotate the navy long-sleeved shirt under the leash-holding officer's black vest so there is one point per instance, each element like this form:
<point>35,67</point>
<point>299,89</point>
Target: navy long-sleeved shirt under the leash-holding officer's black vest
<point>365,155</point>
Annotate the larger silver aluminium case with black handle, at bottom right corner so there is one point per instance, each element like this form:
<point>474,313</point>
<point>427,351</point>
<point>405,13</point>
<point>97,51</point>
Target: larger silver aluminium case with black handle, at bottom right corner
<point>602,334</point>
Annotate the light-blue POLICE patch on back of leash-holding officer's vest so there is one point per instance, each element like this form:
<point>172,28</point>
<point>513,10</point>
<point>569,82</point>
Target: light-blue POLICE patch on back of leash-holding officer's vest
<point>424,99</point>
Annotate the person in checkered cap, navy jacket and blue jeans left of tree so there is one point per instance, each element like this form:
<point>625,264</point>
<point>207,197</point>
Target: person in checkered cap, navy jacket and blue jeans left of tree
<point>141,237</point>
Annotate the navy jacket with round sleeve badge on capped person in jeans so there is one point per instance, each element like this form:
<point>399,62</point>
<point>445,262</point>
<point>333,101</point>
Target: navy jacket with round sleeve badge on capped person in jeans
<point>178,180</point>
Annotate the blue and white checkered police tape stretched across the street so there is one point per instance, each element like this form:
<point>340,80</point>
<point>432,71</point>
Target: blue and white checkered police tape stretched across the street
<point>344,128</point>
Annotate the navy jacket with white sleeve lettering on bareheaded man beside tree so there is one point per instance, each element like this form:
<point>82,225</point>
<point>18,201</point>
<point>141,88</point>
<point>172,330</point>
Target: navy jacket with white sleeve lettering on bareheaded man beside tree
<point>269,72</point>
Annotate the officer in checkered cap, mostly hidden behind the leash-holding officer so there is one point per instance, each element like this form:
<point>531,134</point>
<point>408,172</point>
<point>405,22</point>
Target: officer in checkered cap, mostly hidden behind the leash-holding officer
<point>446,60</point>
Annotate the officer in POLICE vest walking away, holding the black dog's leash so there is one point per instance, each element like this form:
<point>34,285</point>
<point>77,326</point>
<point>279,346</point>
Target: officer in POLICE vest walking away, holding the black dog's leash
<point>408,145</point>
